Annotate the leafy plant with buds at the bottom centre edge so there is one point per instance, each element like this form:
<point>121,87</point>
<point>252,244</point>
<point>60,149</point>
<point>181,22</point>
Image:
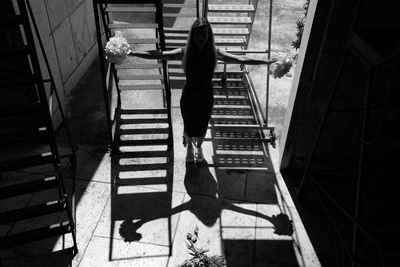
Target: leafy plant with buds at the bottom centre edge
<point>199,257</point>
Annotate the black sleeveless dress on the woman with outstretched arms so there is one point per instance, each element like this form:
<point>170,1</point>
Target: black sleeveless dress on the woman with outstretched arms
<point>197,100</point>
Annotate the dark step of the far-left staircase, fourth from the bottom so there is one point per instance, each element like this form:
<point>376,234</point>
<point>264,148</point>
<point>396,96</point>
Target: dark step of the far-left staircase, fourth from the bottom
<point>26,162</point>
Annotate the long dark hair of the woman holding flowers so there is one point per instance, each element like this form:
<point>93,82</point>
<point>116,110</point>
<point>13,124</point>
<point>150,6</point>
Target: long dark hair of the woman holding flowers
<point>207,56</point>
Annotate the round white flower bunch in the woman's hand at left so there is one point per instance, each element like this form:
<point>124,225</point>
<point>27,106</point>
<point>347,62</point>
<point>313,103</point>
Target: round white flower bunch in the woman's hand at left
<point>117,49</point>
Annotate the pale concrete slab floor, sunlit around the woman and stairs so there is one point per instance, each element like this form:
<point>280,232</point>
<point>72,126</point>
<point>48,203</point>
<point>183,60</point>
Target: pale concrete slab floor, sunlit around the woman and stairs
<point>146,225</point>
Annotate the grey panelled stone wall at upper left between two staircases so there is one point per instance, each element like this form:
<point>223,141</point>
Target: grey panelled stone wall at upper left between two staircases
<point>68,32</point>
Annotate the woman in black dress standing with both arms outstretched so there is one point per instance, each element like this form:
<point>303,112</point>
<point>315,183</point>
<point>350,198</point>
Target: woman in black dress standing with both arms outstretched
<point>199,59</point>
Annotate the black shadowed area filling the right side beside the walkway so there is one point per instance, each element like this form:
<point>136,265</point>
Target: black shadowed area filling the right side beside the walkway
<point>341,147</point>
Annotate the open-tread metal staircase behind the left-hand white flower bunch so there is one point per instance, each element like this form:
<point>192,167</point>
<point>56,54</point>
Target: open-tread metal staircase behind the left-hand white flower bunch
<point>149,75</point>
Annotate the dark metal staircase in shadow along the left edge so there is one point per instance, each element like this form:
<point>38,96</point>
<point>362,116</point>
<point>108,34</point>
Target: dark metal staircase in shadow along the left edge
<point>27,138</point>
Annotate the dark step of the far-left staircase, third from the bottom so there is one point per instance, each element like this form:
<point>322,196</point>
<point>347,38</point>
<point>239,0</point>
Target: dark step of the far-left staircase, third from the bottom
<point>29,187</point>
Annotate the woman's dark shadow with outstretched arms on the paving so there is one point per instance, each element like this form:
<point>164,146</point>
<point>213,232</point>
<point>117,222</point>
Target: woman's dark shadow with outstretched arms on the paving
<point>204,203</point>
